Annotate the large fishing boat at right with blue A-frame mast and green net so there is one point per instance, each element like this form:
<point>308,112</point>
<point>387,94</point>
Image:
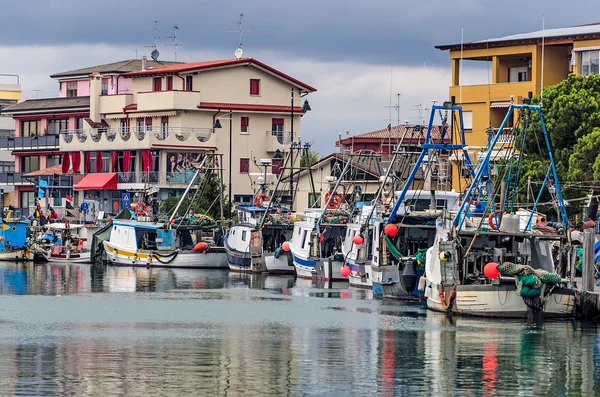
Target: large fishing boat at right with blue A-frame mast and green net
<point>483,261</point>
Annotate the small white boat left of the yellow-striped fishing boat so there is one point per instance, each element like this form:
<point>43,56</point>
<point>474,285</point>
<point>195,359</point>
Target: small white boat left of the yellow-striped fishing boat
<point>69,247</point>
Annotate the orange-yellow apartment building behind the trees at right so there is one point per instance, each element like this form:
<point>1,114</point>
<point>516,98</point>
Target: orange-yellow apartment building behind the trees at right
<point>515,72</point>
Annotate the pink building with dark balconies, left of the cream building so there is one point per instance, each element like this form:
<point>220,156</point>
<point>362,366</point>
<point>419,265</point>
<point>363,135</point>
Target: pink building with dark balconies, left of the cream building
<point>38,123</point>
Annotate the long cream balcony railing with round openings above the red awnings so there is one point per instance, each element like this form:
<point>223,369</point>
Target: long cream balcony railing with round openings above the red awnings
<point>134,137</point>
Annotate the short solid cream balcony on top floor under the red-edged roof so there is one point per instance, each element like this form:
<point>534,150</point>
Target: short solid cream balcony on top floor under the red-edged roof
<point>167,100</point>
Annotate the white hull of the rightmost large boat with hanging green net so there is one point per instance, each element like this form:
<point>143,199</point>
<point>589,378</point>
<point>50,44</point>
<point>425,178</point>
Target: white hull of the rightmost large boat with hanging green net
<point>501,301</point>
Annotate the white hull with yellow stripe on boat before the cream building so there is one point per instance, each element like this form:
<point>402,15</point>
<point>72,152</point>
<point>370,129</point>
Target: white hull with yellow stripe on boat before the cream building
<point>215,257</point>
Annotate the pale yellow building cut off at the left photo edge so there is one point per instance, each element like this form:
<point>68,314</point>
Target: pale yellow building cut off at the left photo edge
<point>10,94</point>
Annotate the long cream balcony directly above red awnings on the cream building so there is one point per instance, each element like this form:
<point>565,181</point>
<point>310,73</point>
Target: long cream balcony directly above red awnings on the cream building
<point>137,138</point>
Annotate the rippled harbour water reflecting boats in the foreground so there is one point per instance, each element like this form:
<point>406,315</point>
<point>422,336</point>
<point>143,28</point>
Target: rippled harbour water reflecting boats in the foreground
<point>77,330</point>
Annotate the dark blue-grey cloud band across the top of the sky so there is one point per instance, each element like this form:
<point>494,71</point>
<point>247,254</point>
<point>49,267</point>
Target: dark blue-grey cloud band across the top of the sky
<point>377,32</point>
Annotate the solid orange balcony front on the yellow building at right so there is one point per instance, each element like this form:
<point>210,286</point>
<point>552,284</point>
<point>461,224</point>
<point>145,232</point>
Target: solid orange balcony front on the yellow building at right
<point>492,92</point>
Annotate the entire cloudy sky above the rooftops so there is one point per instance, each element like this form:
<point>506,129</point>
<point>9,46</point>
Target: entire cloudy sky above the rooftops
<point>354,52</point>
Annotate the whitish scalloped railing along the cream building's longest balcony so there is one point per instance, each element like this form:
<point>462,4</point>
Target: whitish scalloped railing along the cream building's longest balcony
<point>127,134</point>
